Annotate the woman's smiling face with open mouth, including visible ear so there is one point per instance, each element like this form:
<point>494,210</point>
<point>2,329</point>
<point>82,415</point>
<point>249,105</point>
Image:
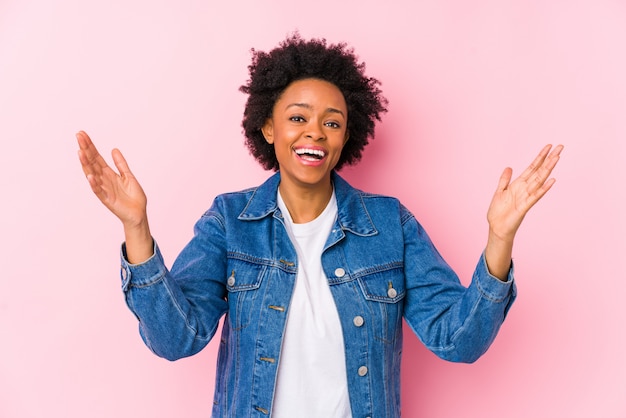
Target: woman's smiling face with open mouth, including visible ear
<point>308,130</point>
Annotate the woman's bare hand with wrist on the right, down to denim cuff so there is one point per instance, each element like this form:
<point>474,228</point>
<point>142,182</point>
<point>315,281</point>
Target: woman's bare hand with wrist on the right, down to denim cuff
<point>510,204</point>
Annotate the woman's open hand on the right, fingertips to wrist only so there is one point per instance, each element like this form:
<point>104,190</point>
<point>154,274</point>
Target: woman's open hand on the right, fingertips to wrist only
<point>512,200</point>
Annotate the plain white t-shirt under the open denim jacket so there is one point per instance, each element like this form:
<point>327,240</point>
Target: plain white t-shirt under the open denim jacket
<point>312,380</point>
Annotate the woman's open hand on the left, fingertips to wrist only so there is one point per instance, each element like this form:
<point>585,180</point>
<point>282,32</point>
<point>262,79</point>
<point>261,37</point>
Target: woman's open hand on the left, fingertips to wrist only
<point>120,193</point>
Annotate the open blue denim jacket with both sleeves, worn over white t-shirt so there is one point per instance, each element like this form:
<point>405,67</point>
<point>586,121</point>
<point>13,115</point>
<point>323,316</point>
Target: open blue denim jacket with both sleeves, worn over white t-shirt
<point>380,264</point>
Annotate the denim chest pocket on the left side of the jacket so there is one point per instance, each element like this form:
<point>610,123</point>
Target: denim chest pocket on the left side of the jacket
<point>243,285</point>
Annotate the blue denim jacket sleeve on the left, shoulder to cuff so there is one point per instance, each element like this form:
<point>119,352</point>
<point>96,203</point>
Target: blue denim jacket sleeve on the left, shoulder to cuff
<point>179,310</point>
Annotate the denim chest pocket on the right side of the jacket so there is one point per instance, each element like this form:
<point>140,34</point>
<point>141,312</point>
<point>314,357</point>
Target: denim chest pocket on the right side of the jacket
<point>384,291</point>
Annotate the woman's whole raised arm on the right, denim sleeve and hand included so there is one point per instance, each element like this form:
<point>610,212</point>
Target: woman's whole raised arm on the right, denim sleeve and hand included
<point>456,323</point>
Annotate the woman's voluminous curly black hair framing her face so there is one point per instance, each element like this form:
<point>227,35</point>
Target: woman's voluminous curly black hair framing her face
<point>297,59</point>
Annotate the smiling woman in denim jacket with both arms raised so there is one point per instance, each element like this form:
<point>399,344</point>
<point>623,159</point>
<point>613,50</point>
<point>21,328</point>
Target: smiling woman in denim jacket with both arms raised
<point>313,275</point>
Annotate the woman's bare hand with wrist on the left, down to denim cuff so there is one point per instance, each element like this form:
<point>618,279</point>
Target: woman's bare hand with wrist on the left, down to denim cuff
<point>121,194</point>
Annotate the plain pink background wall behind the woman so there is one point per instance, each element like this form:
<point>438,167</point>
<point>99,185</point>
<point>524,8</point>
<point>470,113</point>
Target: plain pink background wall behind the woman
<point>473,87</point>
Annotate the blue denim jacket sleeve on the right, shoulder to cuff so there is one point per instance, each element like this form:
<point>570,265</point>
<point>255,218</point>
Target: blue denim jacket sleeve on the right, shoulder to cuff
<point>454,322</point>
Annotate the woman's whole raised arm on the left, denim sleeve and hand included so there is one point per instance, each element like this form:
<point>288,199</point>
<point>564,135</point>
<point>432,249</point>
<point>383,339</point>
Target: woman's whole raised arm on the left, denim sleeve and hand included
<point>178,311</point>
